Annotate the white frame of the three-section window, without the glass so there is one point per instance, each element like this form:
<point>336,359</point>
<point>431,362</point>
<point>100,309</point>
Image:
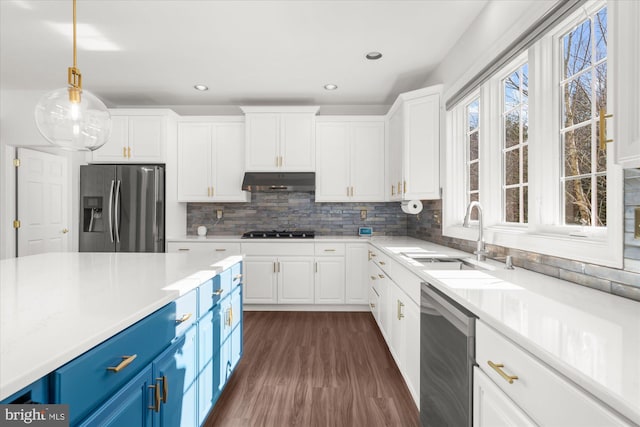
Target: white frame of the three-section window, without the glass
<point>543,233</point>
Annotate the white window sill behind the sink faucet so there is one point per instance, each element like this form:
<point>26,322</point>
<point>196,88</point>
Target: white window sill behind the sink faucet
<point>597,249</point>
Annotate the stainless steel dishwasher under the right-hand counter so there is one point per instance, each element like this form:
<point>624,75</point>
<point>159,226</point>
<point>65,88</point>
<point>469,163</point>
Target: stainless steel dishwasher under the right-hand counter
<point>447,356</point>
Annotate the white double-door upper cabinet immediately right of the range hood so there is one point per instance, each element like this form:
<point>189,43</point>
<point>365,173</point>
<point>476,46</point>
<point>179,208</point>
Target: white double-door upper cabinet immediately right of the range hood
<point>350,159</point>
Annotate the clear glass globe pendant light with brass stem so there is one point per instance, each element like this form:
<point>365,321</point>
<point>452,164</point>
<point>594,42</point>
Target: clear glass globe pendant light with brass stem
<point>72,118</point>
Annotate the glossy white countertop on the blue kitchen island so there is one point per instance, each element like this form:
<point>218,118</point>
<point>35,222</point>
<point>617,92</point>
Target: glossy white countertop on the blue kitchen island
<point>62,304</point>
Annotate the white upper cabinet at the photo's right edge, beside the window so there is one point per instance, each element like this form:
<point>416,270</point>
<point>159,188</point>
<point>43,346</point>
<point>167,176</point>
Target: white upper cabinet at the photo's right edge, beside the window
<point>624,64</point>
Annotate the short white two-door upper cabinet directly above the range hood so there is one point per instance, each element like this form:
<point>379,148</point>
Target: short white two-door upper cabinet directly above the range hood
<point>280,139</point>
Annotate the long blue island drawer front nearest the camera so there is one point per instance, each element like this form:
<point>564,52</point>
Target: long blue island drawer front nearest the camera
<point>85,382</point>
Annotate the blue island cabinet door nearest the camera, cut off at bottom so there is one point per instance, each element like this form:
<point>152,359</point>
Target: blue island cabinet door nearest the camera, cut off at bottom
<point>130,406</point>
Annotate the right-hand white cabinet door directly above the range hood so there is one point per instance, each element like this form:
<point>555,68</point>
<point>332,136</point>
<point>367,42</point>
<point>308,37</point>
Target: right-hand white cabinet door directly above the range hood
<point>297,142</point>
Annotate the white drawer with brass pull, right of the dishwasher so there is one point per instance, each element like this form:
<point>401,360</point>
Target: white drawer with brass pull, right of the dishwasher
<point>546,397</point>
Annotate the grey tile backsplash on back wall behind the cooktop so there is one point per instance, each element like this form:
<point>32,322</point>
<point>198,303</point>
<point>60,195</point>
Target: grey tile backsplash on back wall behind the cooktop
<point>279,211</point>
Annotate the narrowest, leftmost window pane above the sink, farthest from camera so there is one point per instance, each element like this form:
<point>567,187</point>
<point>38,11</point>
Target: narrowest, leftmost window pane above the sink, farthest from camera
<point>472,142</point>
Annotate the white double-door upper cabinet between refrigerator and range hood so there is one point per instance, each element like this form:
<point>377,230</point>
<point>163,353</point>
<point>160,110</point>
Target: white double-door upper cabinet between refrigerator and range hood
<point>211,160</point>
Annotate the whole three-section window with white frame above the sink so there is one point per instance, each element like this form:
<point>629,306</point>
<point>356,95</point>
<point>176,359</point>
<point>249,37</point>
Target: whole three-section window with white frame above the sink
<point>526,141</point>
